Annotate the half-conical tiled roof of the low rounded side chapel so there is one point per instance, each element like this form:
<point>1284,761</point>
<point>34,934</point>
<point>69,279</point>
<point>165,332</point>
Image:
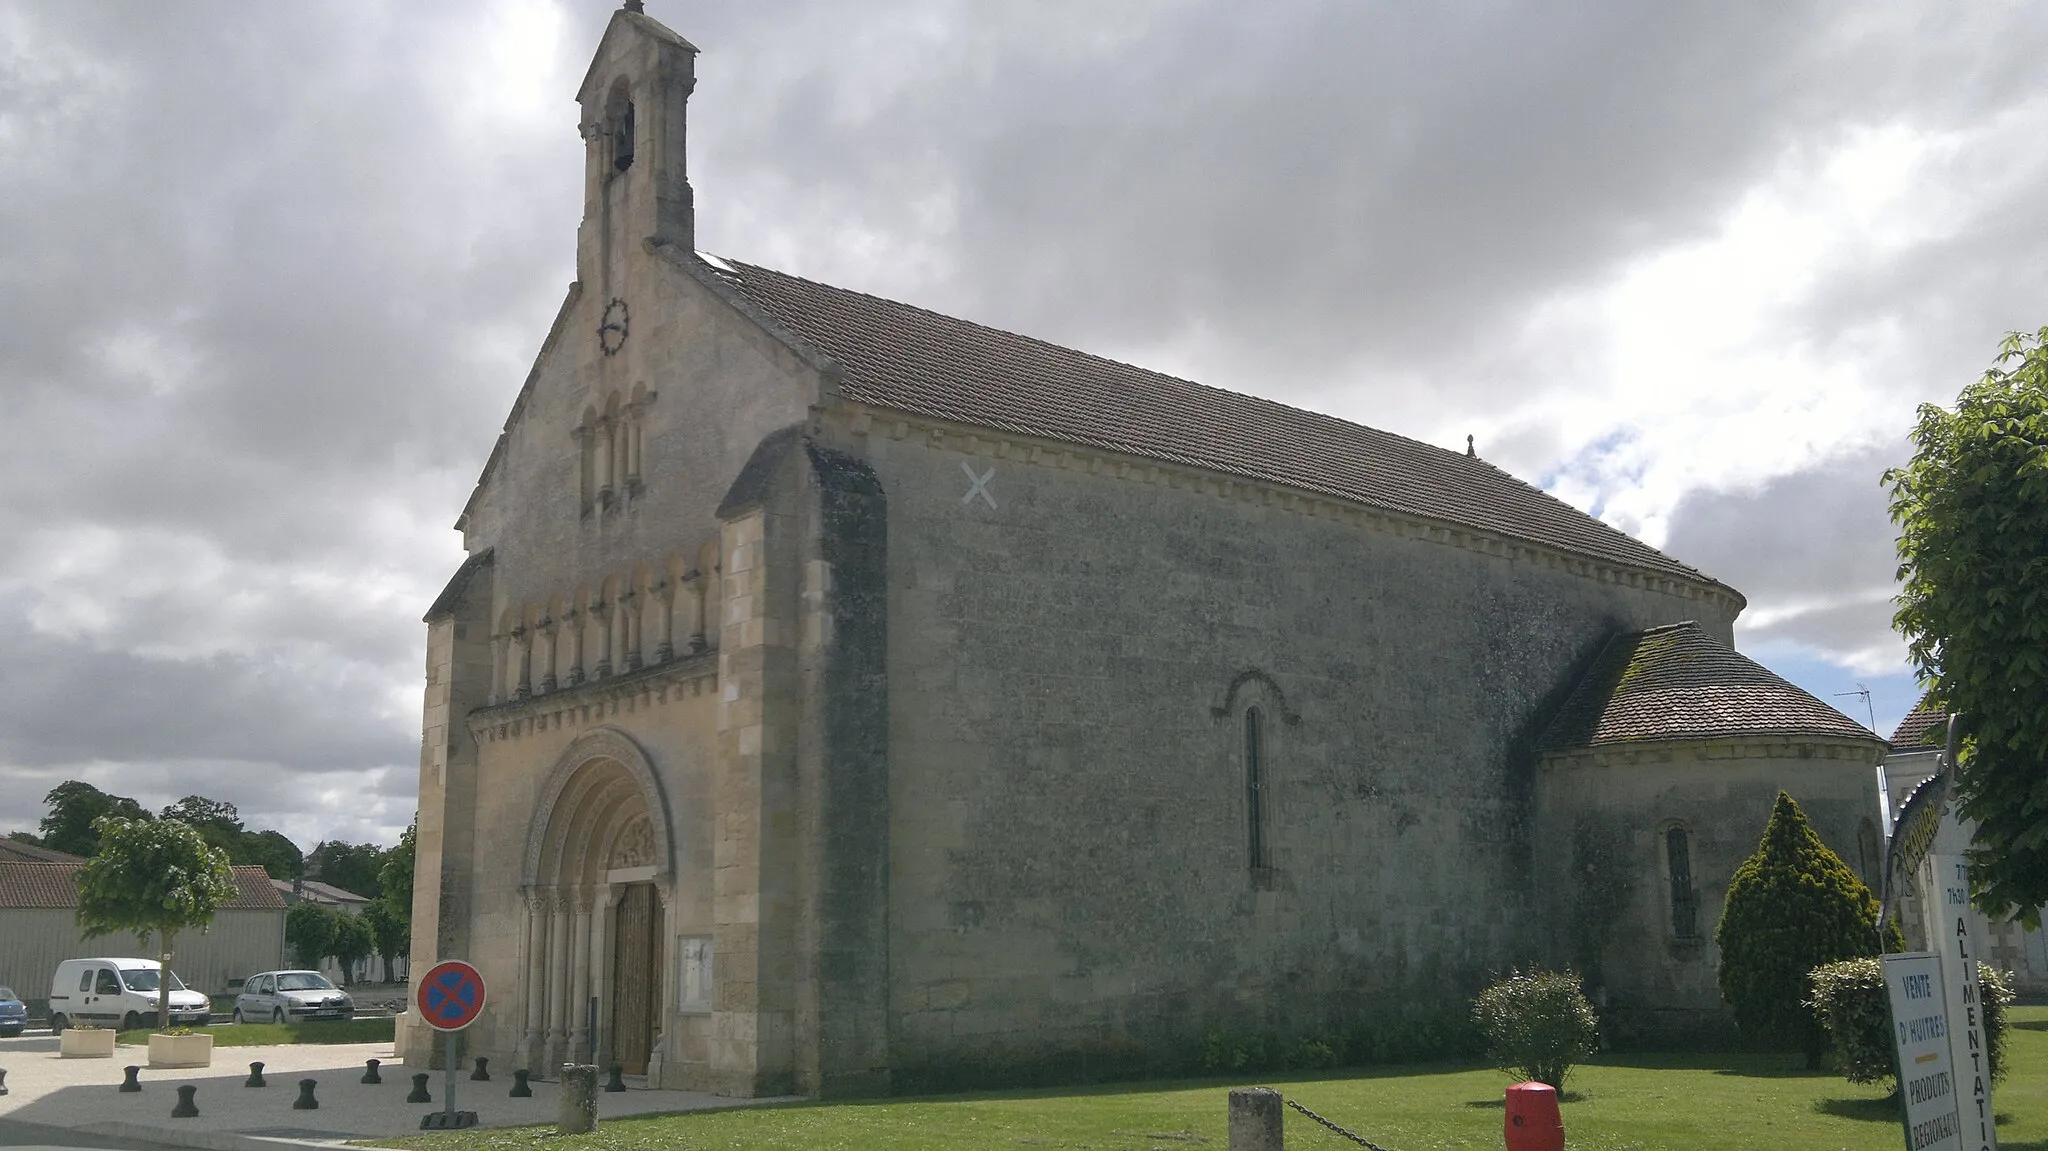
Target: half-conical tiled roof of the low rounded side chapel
<point>1678,683</point>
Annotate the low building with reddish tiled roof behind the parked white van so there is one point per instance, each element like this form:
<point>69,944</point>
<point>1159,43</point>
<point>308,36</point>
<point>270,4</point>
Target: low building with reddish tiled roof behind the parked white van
<point>40,929</point>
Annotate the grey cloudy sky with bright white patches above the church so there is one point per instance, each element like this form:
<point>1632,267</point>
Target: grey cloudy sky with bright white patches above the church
<point>271,275</point>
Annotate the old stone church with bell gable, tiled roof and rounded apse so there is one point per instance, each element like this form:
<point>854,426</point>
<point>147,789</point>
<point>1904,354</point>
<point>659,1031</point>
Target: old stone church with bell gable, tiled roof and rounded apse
<point>843,697</point>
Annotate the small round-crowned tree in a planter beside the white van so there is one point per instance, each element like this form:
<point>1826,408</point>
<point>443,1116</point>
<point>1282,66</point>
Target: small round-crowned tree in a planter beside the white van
<point>155,878</point>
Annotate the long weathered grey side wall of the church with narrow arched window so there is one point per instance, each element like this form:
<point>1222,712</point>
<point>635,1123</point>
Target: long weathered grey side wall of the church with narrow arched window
<point>1072,650</point>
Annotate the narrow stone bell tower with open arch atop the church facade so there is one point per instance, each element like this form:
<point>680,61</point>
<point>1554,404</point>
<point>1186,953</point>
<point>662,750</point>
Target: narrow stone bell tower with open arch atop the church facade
<point>634,122</point>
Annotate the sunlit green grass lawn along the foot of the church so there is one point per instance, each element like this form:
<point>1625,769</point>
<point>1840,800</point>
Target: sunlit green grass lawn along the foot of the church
<point>1674,1103</point>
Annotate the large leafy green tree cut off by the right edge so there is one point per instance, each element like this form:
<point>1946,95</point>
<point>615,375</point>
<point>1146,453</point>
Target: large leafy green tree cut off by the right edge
<point>1973,562</point>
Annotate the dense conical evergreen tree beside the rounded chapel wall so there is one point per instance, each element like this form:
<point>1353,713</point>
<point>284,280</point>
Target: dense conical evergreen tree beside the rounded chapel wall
<point>1791,908</point>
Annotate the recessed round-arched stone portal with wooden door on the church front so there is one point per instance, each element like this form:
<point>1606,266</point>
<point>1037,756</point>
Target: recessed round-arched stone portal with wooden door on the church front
<point>599,882</point>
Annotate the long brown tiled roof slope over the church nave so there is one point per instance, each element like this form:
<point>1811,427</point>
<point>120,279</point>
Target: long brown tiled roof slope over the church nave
<point>919,361</point>
